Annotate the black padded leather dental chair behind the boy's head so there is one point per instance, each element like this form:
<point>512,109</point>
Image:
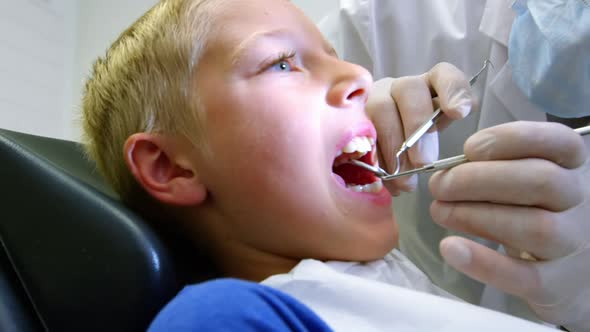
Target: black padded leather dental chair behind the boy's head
<point>72,257</point>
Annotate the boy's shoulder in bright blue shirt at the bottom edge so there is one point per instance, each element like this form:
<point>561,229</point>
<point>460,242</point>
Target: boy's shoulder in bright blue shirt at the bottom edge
<point>235,305</point>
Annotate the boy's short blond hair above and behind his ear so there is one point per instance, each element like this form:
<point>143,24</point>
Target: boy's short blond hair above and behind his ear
<point>144,84</point>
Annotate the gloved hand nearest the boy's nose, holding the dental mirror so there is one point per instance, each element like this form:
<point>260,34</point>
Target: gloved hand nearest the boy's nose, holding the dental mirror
<point>398,107</point>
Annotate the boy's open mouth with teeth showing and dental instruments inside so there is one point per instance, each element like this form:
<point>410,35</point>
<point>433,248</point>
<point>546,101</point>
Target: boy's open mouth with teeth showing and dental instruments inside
<point>356,178</point>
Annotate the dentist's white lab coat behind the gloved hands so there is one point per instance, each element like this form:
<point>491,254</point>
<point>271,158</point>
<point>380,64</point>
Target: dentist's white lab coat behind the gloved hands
<point>398,38</point>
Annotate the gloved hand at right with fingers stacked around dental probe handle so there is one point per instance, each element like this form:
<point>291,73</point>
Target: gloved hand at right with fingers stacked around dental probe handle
<point>527,188</point>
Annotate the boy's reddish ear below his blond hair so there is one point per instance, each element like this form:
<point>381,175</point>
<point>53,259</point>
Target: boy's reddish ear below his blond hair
<point>158,165</point>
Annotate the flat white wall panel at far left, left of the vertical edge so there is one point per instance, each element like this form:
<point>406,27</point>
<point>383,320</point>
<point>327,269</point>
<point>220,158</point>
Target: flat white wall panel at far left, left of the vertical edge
<point>36,51</point>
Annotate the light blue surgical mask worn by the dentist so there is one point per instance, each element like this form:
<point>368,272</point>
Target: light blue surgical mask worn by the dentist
<point>549,51</point>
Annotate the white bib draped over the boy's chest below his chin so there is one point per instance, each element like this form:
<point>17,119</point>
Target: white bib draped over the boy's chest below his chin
<point>390,294</point>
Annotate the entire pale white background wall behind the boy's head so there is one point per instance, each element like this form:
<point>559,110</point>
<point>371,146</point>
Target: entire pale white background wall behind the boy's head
<point>47,48</point>
